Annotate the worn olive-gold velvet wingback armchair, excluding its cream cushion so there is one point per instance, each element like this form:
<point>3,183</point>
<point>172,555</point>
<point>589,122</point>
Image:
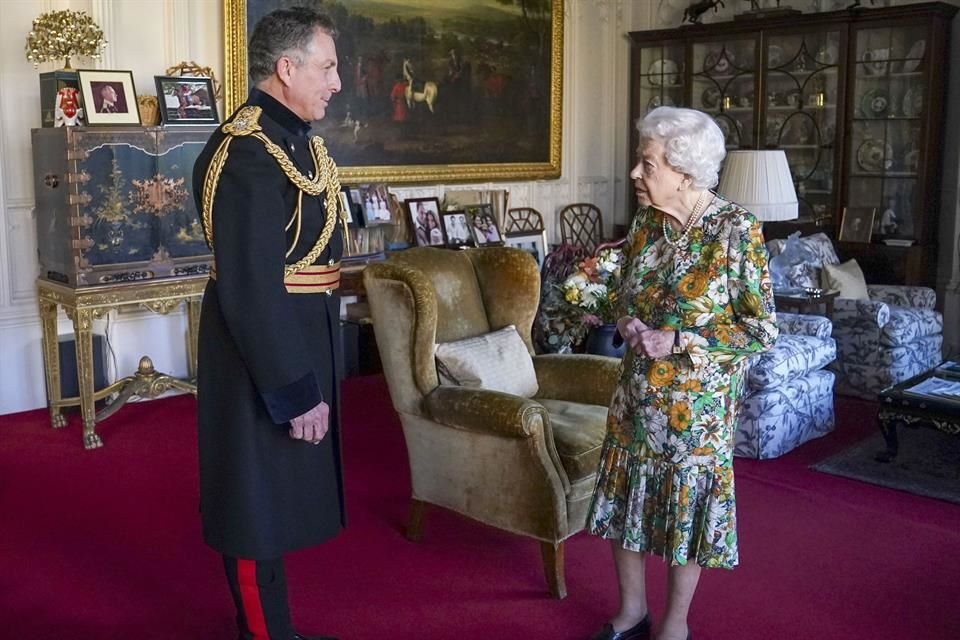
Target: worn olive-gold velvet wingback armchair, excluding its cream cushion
<point>527,466</point>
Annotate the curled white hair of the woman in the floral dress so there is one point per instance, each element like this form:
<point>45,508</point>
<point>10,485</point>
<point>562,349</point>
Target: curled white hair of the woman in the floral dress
<point>692,142</point>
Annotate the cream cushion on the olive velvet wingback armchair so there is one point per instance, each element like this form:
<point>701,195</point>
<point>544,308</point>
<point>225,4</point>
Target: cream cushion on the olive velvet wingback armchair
<point>498,361</point>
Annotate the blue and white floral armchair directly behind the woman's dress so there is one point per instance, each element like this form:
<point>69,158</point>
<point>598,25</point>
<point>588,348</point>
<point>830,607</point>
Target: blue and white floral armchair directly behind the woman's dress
<point>788,398</point>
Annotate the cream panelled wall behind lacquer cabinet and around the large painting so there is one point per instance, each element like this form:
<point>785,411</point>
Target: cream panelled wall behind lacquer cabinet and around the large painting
<point>147,36</point>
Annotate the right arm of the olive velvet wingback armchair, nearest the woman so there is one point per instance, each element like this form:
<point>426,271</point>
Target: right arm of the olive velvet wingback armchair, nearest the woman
<point>582,378</point>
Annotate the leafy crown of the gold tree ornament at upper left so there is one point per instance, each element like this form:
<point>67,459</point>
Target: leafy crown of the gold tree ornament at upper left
<point>58,35</point>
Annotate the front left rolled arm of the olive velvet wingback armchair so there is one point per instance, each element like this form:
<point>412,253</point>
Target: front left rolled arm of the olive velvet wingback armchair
<point>483,410</point>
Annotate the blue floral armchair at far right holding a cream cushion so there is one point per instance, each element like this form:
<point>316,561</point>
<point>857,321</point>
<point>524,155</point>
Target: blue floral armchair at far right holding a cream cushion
<point>894,335</point>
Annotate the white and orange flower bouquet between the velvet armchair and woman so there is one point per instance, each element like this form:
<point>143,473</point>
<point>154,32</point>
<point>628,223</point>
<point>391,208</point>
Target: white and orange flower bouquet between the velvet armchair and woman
<point>593,287</point>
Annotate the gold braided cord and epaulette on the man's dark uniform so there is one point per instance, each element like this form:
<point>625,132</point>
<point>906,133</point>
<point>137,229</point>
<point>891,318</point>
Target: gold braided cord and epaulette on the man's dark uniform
<point>327,179</point>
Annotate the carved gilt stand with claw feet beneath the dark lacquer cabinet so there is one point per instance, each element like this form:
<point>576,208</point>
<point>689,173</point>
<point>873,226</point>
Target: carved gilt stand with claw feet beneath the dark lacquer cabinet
<point>85,305</point>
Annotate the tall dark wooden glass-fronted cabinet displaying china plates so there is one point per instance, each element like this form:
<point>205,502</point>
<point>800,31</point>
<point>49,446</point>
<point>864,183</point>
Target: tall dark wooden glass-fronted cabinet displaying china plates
<point>855,98</point>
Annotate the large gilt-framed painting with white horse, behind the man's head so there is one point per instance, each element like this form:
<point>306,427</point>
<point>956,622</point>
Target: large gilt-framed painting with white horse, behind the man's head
<point>433,91</point>
